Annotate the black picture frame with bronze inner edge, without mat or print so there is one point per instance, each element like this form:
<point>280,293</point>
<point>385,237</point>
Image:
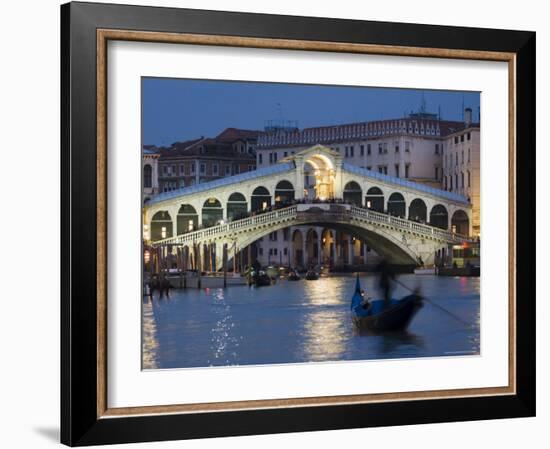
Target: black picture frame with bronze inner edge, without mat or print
<point>86,28</point>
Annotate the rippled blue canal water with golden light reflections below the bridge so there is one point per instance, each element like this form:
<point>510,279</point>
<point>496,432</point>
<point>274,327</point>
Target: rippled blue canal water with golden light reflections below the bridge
<point>303,321</point>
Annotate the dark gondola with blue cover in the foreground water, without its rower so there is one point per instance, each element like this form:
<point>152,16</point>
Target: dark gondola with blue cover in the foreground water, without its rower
<point>375,316</point>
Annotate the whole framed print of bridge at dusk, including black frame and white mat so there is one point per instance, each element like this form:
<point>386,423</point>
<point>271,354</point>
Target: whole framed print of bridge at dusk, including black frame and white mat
<point>276,224</point>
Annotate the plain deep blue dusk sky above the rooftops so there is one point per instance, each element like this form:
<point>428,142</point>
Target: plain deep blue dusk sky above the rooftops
<point>180,109</point>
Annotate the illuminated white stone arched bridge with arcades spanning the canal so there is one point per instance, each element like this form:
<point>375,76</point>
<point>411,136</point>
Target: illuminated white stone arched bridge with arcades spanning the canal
<point>401,220</point>
